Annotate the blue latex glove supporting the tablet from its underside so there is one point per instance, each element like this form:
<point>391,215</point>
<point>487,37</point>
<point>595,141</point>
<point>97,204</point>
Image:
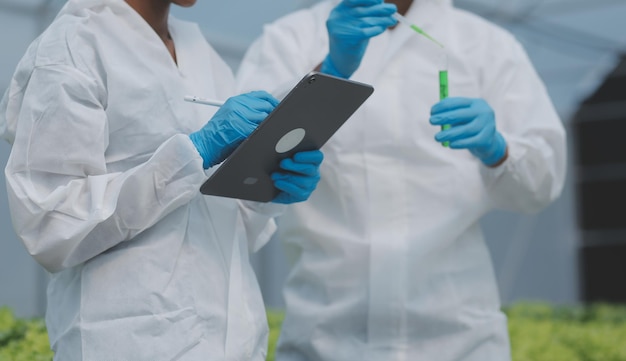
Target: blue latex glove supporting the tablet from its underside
<point>300,177</point>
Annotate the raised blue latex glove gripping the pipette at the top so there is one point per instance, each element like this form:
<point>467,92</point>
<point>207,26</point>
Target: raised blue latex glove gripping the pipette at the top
<point>350,26</point>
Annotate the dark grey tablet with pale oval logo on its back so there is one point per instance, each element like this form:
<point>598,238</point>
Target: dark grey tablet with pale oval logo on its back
<point>304,120</point>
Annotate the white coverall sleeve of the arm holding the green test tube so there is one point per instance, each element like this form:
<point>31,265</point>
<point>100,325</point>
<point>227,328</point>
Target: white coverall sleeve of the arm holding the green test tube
<point>534,173</point>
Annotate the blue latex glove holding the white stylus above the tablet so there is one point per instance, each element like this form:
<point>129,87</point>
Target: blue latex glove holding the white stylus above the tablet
<point>231,124</point>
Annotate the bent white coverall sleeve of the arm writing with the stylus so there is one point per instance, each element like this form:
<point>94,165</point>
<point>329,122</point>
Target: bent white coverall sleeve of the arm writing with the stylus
<point>66,206</point>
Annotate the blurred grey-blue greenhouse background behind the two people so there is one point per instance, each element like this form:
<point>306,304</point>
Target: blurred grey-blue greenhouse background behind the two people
<point>576,46</point>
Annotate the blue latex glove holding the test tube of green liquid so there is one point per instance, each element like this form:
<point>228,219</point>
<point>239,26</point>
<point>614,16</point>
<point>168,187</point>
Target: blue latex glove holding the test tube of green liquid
<point>472,126</point>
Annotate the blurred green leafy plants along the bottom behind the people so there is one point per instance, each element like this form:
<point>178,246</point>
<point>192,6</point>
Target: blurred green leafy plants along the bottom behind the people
<point>539,332</point>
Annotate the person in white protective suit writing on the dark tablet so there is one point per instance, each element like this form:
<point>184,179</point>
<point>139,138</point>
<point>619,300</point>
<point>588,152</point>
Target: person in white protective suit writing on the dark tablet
<point>103,184</point>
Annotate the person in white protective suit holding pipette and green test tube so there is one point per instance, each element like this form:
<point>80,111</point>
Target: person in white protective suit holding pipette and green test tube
<point>388,259</point>
